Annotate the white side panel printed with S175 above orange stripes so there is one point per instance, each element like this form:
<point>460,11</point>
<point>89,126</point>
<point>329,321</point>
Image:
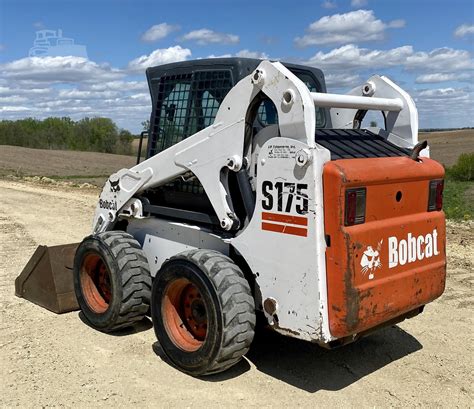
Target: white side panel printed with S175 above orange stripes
<point>289,265</point>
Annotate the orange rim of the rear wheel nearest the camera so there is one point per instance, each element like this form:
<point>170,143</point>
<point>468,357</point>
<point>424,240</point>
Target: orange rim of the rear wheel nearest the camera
<point>184,315</point>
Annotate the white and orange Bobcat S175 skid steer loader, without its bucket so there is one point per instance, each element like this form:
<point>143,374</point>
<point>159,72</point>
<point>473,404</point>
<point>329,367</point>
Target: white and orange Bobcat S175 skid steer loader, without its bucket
<point>263,194</point>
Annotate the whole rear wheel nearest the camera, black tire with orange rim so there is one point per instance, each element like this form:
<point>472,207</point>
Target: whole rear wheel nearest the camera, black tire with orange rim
<point>203,312</point>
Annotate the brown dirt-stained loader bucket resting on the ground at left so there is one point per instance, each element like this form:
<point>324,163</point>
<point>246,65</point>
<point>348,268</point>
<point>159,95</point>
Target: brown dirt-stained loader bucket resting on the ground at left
<point>47,279</point>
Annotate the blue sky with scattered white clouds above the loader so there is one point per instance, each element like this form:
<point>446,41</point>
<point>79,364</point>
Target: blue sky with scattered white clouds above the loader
<point>425,46</point>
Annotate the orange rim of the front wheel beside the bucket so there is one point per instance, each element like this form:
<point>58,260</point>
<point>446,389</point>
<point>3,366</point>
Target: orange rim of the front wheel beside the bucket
<point>95,283</point>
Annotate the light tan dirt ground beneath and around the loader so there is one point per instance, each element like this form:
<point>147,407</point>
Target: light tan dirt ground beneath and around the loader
<point>50,360</point>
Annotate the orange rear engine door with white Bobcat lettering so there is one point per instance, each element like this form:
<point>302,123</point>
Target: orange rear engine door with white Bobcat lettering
<point>393,262</point>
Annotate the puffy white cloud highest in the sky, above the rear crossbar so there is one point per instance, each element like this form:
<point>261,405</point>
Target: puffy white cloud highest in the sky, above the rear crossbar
<point>353,27</point>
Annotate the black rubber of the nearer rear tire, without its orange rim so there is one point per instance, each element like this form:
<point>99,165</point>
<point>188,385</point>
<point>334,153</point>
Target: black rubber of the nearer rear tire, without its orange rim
<point>230,311</point>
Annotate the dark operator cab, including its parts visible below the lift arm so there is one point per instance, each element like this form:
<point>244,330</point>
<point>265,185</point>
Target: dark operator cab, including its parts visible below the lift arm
<point>185,99</point>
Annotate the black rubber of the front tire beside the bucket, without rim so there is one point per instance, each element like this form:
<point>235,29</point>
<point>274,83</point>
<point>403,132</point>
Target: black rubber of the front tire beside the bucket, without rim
<point>130,280</point>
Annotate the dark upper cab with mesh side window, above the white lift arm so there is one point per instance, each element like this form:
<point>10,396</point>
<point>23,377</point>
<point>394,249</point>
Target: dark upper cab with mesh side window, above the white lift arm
<point>186,96</point>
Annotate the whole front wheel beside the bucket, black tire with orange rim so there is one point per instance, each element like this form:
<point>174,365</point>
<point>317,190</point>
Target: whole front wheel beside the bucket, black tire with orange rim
<point>112,280</point>
